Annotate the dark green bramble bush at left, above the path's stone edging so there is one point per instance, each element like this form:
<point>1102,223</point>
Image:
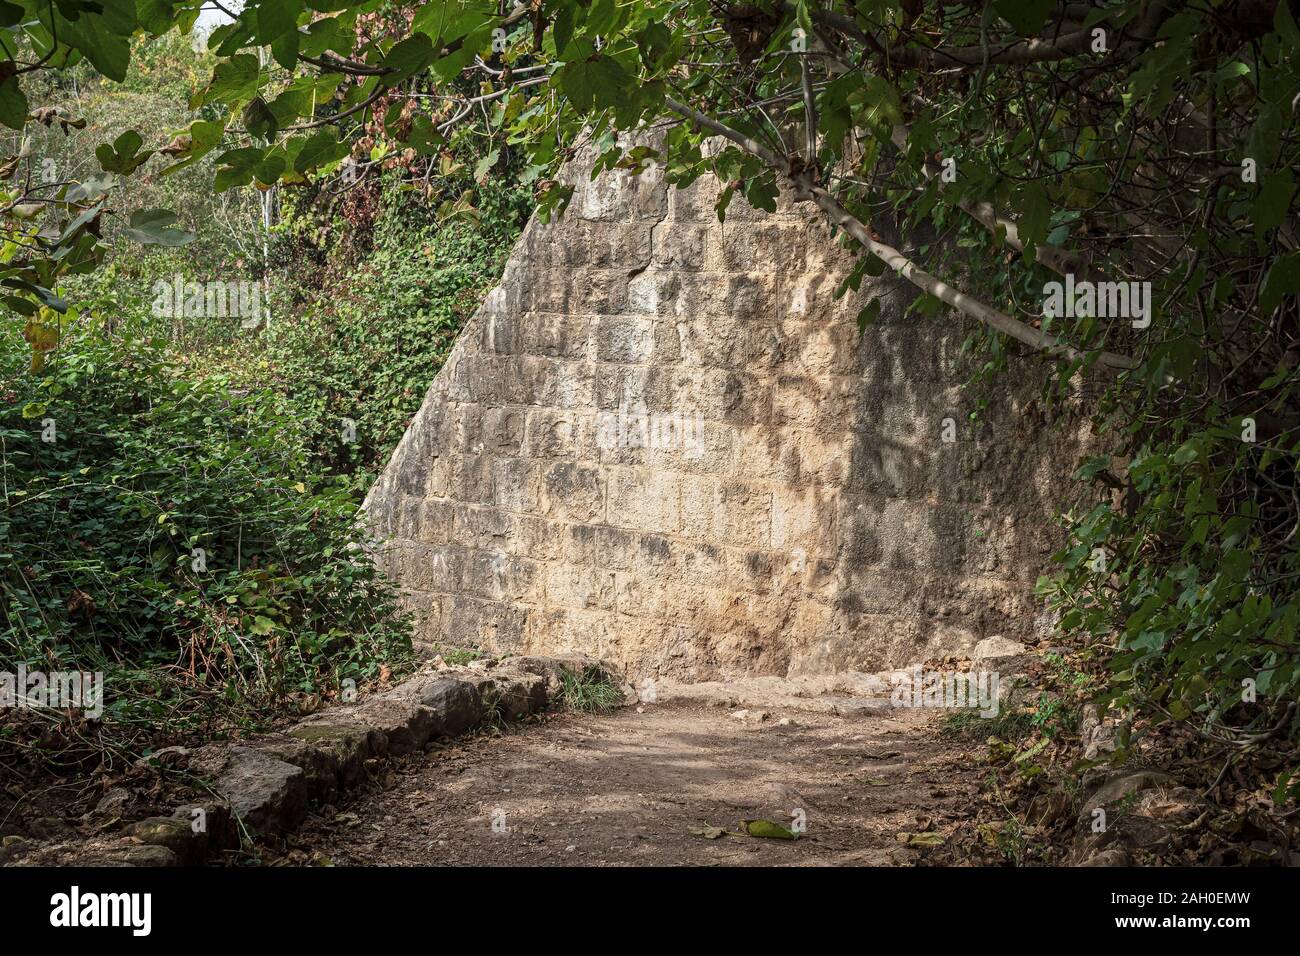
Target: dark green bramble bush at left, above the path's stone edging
<point>174,531</point>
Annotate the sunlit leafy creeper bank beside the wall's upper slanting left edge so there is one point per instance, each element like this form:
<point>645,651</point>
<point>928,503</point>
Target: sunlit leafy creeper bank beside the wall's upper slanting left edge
<point>359,336</point>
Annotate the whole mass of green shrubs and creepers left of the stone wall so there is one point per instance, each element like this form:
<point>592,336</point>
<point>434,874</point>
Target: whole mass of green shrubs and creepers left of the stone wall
<point>192,527</point>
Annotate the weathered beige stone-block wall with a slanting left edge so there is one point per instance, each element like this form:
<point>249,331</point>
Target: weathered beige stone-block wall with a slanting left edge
<point>662,442</point>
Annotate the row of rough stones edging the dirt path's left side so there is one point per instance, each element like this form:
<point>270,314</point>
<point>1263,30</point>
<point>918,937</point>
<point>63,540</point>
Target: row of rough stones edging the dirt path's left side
<point>263,789</point>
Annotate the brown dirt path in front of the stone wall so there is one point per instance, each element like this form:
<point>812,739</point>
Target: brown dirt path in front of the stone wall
<point>629,789</point>
